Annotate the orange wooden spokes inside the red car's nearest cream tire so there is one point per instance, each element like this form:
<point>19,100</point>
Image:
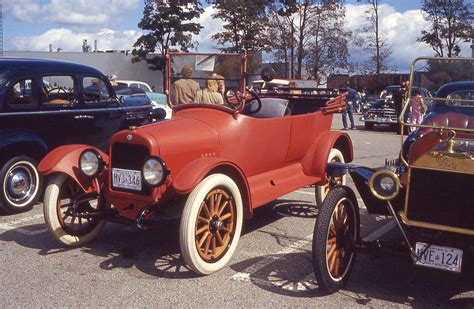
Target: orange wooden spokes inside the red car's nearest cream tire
<point>215,225</point>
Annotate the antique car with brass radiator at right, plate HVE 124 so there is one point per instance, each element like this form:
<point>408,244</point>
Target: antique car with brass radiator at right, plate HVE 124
<point>427,190</point>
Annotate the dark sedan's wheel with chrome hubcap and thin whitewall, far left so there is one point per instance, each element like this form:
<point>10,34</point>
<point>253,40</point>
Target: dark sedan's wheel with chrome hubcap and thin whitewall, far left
<point>21,185</point>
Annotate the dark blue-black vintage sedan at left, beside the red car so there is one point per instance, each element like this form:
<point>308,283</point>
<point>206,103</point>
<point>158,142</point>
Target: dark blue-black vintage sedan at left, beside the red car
<point>45,104</point>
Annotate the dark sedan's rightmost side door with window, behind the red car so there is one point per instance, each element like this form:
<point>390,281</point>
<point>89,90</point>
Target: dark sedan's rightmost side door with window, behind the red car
<point>97,115</point>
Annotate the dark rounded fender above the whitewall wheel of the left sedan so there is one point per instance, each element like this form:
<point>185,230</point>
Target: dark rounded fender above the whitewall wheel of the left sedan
<point>21,142</point>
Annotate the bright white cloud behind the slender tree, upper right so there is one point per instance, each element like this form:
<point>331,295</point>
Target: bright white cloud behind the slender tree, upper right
<point>401,31</point>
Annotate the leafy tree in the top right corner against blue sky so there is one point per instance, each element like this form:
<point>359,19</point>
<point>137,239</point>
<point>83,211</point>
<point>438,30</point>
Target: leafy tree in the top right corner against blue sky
<point>450,24</point>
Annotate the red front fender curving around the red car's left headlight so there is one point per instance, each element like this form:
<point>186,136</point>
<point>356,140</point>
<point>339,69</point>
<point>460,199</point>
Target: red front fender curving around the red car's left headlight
<point>65,159</point>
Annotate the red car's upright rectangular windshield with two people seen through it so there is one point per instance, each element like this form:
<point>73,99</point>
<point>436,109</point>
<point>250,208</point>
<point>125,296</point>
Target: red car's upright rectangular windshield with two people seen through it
<point>205,79</point>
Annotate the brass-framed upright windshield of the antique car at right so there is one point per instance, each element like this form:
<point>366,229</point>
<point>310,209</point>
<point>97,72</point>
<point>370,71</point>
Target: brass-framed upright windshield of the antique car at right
<point>451,81</point>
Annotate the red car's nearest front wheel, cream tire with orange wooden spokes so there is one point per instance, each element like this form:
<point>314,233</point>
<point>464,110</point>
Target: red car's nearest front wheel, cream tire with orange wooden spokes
<point>211,224</point>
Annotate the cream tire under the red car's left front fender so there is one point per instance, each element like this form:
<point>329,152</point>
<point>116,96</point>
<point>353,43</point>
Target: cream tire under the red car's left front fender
<point>64,234</point>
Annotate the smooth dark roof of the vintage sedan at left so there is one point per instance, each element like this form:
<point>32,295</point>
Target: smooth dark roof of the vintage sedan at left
<point>13,68</point>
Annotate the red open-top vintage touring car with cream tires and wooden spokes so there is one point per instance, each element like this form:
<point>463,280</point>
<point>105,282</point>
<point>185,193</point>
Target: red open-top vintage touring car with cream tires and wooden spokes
<point>211,164</point>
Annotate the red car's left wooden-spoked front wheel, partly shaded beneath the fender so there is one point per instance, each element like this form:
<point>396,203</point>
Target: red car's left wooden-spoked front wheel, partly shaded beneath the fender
<point>66,227</point>
